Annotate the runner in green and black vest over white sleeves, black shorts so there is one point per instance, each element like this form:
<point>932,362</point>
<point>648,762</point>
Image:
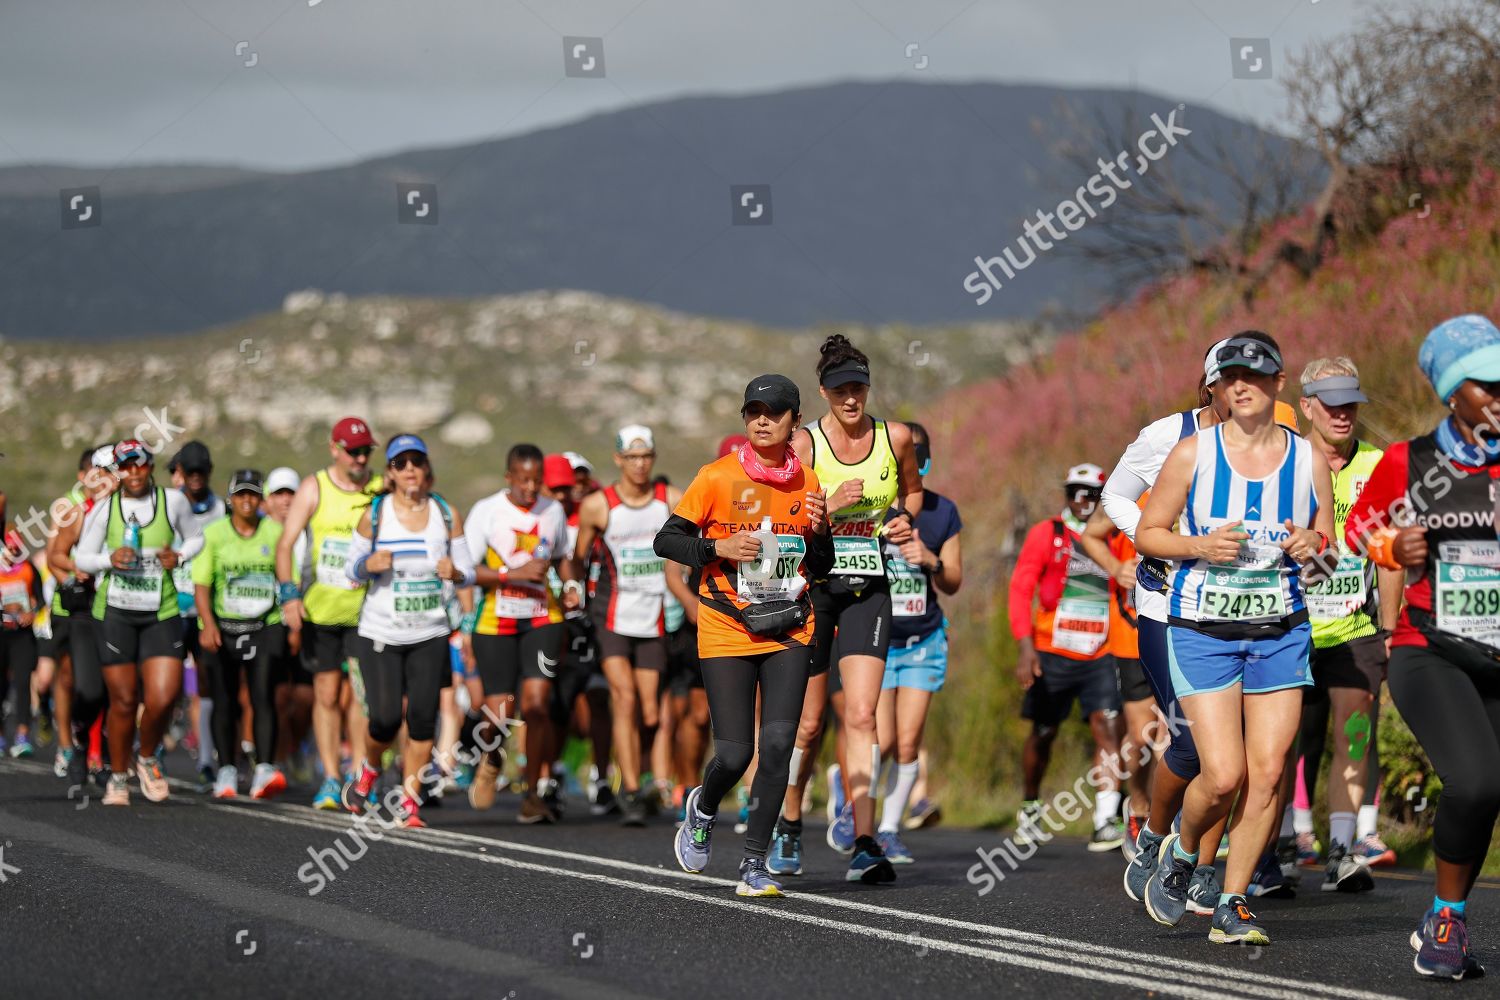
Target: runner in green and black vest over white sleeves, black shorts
<point>128,543</point>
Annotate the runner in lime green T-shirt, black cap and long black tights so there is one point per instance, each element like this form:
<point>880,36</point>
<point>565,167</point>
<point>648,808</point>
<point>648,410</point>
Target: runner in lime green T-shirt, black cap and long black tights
<point>235,587</point>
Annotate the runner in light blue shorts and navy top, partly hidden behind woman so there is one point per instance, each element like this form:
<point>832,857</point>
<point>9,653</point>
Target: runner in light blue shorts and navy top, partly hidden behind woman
<point>917,668</point>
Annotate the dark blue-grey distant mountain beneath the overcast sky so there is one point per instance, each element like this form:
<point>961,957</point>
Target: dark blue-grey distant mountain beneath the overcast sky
<point>881,196</point>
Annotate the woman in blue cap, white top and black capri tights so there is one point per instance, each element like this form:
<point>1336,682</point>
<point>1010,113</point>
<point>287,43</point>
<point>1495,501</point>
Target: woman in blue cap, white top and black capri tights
<point>409,549</point>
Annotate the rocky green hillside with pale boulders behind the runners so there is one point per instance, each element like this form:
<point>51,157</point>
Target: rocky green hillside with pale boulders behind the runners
<point>473,377</point>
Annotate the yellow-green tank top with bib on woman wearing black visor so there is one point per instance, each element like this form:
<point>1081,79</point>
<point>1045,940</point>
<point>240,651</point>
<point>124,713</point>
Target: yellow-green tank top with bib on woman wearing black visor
<point>857,546</point>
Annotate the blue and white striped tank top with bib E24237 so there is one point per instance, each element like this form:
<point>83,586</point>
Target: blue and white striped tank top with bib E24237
<point>1262,584</point>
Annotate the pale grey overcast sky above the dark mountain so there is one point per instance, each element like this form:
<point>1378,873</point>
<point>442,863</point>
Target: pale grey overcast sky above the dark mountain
<point>125,83</point>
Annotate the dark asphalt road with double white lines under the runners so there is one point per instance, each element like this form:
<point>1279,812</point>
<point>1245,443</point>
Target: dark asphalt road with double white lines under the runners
<point>202,899</point>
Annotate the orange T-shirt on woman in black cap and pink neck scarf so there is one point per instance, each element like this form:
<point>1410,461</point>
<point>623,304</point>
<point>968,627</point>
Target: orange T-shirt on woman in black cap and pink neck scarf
<point>722,500</point>
